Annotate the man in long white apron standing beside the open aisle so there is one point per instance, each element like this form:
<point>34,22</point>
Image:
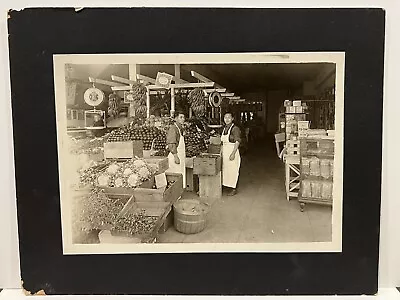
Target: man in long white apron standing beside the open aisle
<point>230,153</point>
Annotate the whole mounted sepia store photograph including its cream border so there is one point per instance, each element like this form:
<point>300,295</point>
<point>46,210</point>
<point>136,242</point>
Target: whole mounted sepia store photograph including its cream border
<point>227,152</point>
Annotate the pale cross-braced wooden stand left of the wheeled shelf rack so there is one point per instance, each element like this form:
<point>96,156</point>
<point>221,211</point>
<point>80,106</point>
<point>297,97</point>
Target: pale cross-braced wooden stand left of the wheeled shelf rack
<point>292,176</point>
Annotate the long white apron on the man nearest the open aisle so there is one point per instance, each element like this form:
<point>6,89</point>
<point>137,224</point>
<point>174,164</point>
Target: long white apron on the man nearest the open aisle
<point>230,168</point>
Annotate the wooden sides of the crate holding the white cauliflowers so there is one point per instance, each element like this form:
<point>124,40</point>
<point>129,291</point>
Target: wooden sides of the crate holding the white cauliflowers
<point>154,195</point>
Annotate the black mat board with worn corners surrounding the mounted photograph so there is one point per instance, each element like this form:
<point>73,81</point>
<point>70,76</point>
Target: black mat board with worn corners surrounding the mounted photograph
<point>36,34</point>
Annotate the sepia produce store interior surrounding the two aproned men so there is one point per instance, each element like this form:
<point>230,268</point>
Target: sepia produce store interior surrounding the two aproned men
<point>285,112</point>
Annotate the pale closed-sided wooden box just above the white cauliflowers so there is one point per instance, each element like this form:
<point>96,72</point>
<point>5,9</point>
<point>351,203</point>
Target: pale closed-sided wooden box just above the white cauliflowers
<point>123,150</point>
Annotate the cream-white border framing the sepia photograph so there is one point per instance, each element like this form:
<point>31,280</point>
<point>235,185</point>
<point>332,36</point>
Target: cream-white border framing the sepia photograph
<point>210,58</point>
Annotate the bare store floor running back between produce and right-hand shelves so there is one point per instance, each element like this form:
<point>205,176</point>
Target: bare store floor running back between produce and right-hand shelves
<point>260,211</point>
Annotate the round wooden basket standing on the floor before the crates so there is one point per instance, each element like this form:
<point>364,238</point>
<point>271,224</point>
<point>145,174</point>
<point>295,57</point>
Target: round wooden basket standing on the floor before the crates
<point>190,216</point>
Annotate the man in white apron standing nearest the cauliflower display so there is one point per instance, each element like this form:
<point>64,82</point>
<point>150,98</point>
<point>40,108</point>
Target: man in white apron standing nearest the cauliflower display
<point>176,147</point>
